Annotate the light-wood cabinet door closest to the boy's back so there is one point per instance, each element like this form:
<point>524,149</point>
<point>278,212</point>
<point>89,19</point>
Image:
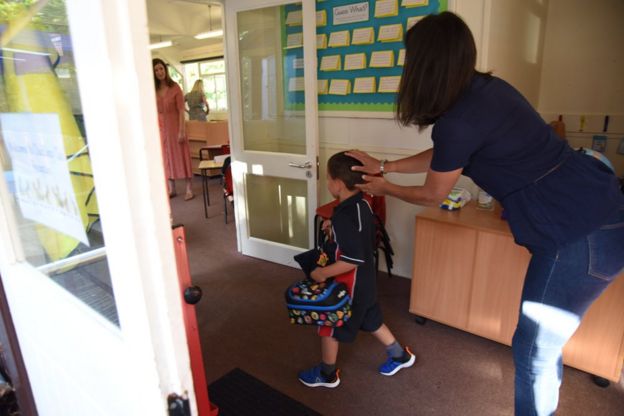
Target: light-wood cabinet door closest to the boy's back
<point>443,262</point>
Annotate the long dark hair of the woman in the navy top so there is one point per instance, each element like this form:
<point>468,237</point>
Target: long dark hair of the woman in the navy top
<point>440,59</point>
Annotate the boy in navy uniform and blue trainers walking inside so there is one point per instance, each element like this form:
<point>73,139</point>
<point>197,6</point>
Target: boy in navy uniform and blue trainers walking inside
<point>353,230</point>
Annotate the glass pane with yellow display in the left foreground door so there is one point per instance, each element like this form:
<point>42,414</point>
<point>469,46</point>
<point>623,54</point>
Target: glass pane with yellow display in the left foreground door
<point>45,157</point>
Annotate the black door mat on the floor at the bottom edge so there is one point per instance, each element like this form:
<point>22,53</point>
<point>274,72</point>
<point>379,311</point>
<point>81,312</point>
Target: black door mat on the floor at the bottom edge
<point>240,394</point>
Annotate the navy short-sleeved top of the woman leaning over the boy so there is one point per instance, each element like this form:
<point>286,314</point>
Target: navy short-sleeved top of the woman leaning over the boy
<point>552,195</point>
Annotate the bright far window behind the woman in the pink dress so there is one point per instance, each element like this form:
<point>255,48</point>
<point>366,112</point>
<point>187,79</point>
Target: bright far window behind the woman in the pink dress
<point>212,72</point>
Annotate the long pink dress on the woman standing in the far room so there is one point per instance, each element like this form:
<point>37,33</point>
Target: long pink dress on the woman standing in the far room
<point>176,156</point>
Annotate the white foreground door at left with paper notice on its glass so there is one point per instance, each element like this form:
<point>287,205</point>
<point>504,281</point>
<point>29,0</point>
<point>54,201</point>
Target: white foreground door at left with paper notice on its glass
<point>86,251</point>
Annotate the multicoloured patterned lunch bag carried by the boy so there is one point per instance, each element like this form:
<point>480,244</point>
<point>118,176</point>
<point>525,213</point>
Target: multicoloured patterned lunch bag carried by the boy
<point>312,303</point>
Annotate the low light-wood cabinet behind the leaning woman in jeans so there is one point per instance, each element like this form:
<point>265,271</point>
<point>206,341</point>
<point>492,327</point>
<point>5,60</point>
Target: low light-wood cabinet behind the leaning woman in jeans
<point>468,273</point>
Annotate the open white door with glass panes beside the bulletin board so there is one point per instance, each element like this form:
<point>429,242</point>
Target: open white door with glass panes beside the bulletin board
<point>271,64</point>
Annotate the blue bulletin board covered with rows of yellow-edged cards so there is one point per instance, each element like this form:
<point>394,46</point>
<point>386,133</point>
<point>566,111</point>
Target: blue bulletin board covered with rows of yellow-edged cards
<point>355,74</point>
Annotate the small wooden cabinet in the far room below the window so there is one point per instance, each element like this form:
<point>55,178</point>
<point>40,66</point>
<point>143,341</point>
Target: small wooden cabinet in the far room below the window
<point>210,134</point>
